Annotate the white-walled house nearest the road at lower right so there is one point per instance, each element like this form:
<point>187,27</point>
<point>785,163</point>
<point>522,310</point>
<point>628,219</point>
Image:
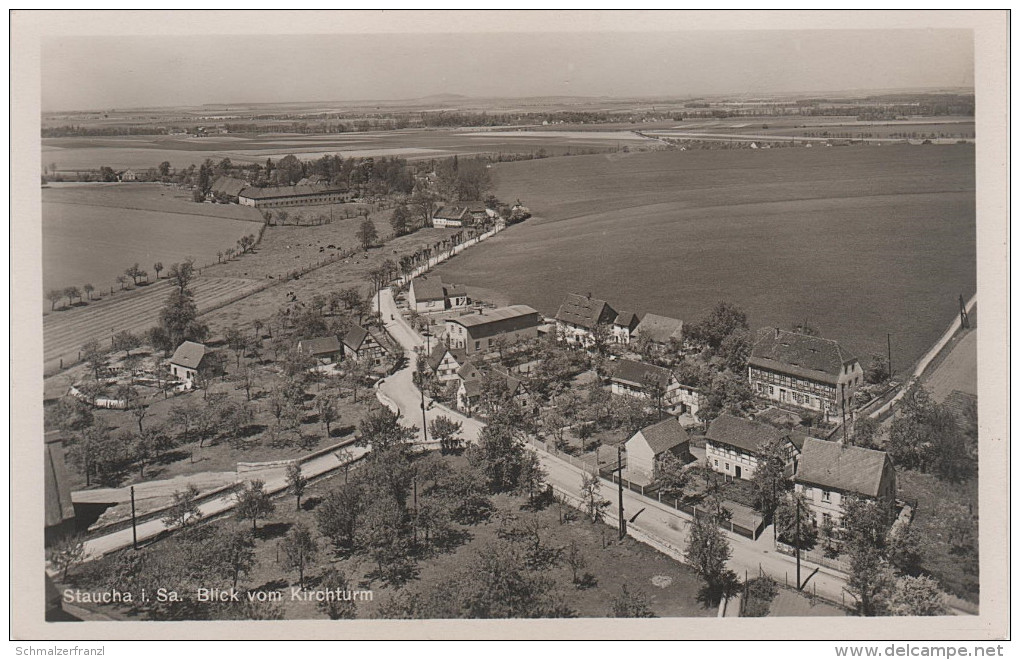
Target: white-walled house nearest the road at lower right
<point>830,473</point>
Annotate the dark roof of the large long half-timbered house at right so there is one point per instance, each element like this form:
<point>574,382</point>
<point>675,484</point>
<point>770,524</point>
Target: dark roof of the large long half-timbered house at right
<point>801,356</point>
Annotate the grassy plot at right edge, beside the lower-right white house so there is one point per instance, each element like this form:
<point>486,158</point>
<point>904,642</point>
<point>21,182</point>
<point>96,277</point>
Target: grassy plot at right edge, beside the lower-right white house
<point>940,507</point>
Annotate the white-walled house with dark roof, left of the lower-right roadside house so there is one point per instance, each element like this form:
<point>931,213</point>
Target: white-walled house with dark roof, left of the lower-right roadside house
<point>732,446</point>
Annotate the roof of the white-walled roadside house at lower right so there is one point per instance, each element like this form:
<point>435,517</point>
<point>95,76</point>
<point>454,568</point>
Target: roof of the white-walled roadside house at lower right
<point>843,468</point>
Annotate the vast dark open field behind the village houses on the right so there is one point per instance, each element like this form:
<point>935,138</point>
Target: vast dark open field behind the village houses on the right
<point>790,235</point>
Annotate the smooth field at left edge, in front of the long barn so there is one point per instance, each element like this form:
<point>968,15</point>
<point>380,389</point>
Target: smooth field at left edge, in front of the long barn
<point>93,233</point>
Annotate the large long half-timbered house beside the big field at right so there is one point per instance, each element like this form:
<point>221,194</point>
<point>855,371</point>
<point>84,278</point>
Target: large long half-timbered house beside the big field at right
<point>805,372</point>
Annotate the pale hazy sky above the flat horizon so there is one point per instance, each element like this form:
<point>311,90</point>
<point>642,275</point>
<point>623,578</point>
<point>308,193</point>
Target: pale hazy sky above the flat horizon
<point>111,72</point>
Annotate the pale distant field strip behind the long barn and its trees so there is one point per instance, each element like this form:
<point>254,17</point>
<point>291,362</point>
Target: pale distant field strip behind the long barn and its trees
<point>148,151</point>
